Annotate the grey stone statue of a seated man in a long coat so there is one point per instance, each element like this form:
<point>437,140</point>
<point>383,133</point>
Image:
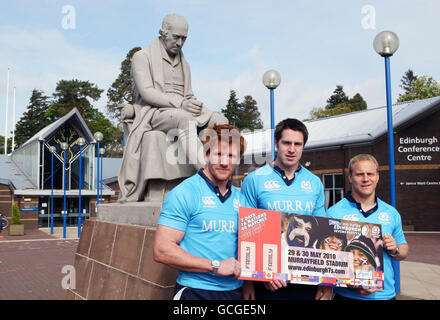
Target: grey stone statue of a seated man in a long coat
<point>166,113</point>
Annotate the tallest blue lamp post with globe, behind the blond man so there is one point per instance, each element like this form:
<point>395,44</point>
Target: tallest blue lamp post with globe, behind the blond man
<point>386,44</point>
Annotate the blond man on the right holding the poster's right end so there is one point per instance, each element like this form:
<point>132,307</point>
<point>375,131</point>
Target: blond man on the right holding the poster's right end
<point>362,204</point>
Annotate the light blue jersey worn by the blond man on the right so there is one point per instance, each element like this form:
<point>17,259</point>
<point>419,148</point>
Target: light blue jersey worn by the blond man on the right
<point>391,222</point>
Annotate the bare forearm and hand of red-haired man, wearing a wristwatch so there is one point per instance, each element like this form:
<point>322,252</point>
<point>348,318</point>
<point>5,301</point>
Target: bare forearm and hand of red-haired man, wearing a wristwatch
<point>167,251</point>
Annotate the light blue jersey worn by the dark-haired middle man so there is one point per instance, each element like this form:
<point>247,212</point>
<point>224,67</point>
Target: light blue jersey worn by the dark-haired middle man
<point>267,188</point>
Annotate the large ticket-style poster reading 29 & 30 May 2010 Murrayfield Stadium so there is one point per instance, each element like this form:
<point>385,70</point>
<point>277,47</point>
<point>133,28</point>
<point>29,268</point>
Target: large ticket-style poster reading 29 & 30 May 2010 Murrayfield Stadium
<point>309,250</point>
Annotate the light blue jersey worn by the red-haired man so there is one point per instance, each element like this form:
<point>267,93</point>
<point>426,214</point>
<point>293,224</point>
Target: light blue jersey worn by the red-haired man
<point>211,227</point>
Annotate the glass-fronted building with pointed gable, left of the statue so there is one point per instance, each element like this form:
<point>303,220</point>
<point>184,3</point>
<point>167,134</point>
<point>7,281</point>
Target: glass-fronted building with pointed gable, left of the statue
<point>68,168</point>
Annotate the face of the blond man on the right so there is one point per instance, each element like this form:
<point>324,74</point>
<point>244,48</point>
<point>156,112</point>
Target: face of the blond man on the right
<point>364,178</point>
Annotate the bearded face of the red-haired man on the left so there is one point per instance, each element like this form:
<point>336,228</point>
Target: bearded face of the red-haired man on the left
<point>221,161</point>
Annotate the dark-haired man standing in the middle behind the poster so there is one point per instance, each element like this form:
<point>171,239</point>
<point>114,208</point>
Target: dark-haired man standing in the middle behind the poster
<point>285,186</point>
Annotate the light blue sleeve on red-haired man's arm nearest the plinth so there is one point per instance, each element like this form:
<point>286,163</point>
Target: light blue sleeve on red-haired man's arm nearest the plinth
<point>177,209</point>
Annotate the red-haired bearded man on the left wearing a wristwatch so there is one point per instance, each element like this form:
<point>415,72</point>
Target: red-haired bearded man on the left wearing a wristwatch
<point>197,231</point>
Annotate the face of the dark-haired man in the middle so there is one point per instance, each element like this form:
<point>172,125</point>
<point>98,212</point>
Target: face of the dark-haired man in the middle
<point>289,149</point>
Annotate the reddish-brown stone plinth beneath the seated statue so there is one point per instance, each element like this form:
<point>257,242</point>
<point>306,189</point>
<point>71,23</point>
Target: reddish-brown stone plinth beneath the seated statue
<point>114,259</point>
